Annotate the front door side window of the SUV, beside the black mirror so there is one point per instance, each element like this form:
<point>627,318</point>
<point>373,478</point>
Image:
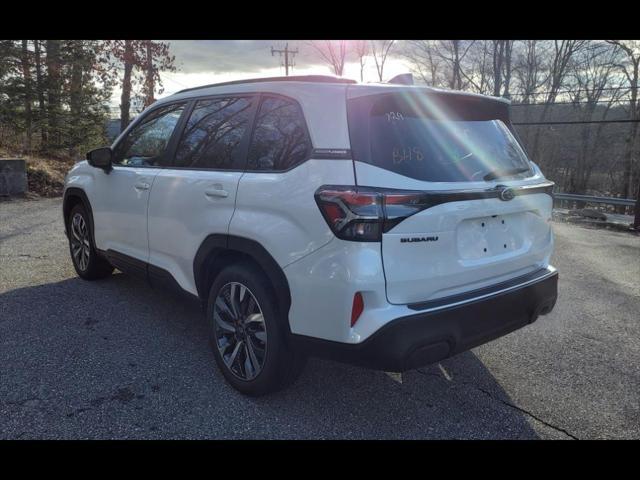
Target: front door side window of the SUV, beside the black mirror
<point>146,143</point>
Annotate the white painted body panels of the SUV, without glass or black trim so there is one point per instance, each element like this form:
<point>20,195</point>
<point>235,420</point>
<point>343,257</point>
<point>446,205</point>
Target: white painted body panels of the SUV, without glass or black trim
<point>166,223</point>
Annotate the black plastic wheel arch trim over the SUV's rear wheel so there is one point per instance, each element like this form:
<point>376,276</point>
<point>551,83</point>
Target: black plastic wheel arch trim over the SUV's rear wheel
<point>219,250</point>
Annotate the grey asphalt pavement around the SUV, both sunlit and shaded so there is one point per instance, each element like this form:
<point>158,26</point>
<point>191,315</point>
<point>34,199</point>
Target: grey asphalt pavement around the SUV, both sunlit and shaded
<point>117,359</point>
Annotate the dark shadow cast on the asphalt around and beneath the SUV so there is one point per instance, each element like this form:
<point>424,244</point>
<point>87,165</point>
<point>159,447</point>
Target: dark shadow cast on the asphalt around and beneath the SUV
<point>116,359</point>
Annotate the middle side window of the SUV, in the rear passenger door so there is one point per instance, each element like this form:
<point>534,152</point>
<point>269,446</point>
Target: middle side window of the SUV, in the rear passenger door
<point>214,133</point>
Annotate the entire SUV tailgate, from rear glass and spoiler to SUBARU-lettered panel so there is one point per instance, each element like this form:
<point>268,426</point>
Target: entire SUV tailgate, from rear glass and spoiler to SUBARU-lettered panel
<point>484,216</point>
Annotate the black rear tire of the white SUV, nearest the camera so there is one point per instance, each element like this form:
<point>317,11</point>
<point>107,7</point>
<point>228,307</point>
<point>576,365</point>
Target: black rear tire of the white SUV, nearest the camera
<point>280,364</point>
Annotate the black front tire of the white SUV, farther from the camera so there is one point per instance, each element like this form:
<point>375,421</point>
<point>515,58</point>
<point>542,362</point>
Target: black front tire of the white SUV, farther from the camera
<point>96,266</point>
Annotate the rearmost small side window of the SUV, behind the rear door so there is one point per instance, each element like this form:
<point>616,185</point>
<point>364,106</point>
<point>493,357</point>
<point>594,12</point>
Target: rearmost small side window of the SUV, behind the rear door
<point>280,138</point>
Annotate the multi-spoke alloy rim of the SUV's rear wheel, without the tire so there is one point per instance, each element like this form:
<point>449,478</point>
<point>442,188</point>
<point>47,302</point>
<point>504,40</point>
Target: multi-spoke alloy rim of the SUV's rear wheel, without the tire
<point>240,331</point>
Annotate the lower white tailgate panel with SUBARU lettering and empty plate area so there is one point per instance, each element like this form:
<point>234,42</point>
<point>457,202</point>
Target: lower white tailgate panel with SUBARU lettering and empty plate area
<point>457,247</point>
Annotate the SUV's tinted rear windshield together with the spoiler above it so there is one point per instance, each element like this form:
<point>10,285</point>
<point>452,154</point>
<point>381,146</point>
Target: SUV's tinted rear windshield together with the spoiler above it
<point>436,138</point>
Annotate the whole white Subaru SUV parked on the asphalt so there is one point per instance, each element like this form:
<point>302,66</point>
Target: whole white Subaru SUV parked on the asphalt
<point>389,226</point>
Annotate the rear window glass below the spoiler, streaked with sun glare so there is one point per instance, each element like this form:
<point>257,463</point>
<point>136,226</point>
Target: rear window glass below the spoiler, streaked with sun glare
<point>439,149</point>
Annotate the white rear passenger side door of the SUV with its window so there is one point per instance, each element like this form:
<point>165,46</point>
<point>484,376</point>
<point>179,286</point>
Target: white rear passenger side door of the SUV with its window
<point>194,195</point>
